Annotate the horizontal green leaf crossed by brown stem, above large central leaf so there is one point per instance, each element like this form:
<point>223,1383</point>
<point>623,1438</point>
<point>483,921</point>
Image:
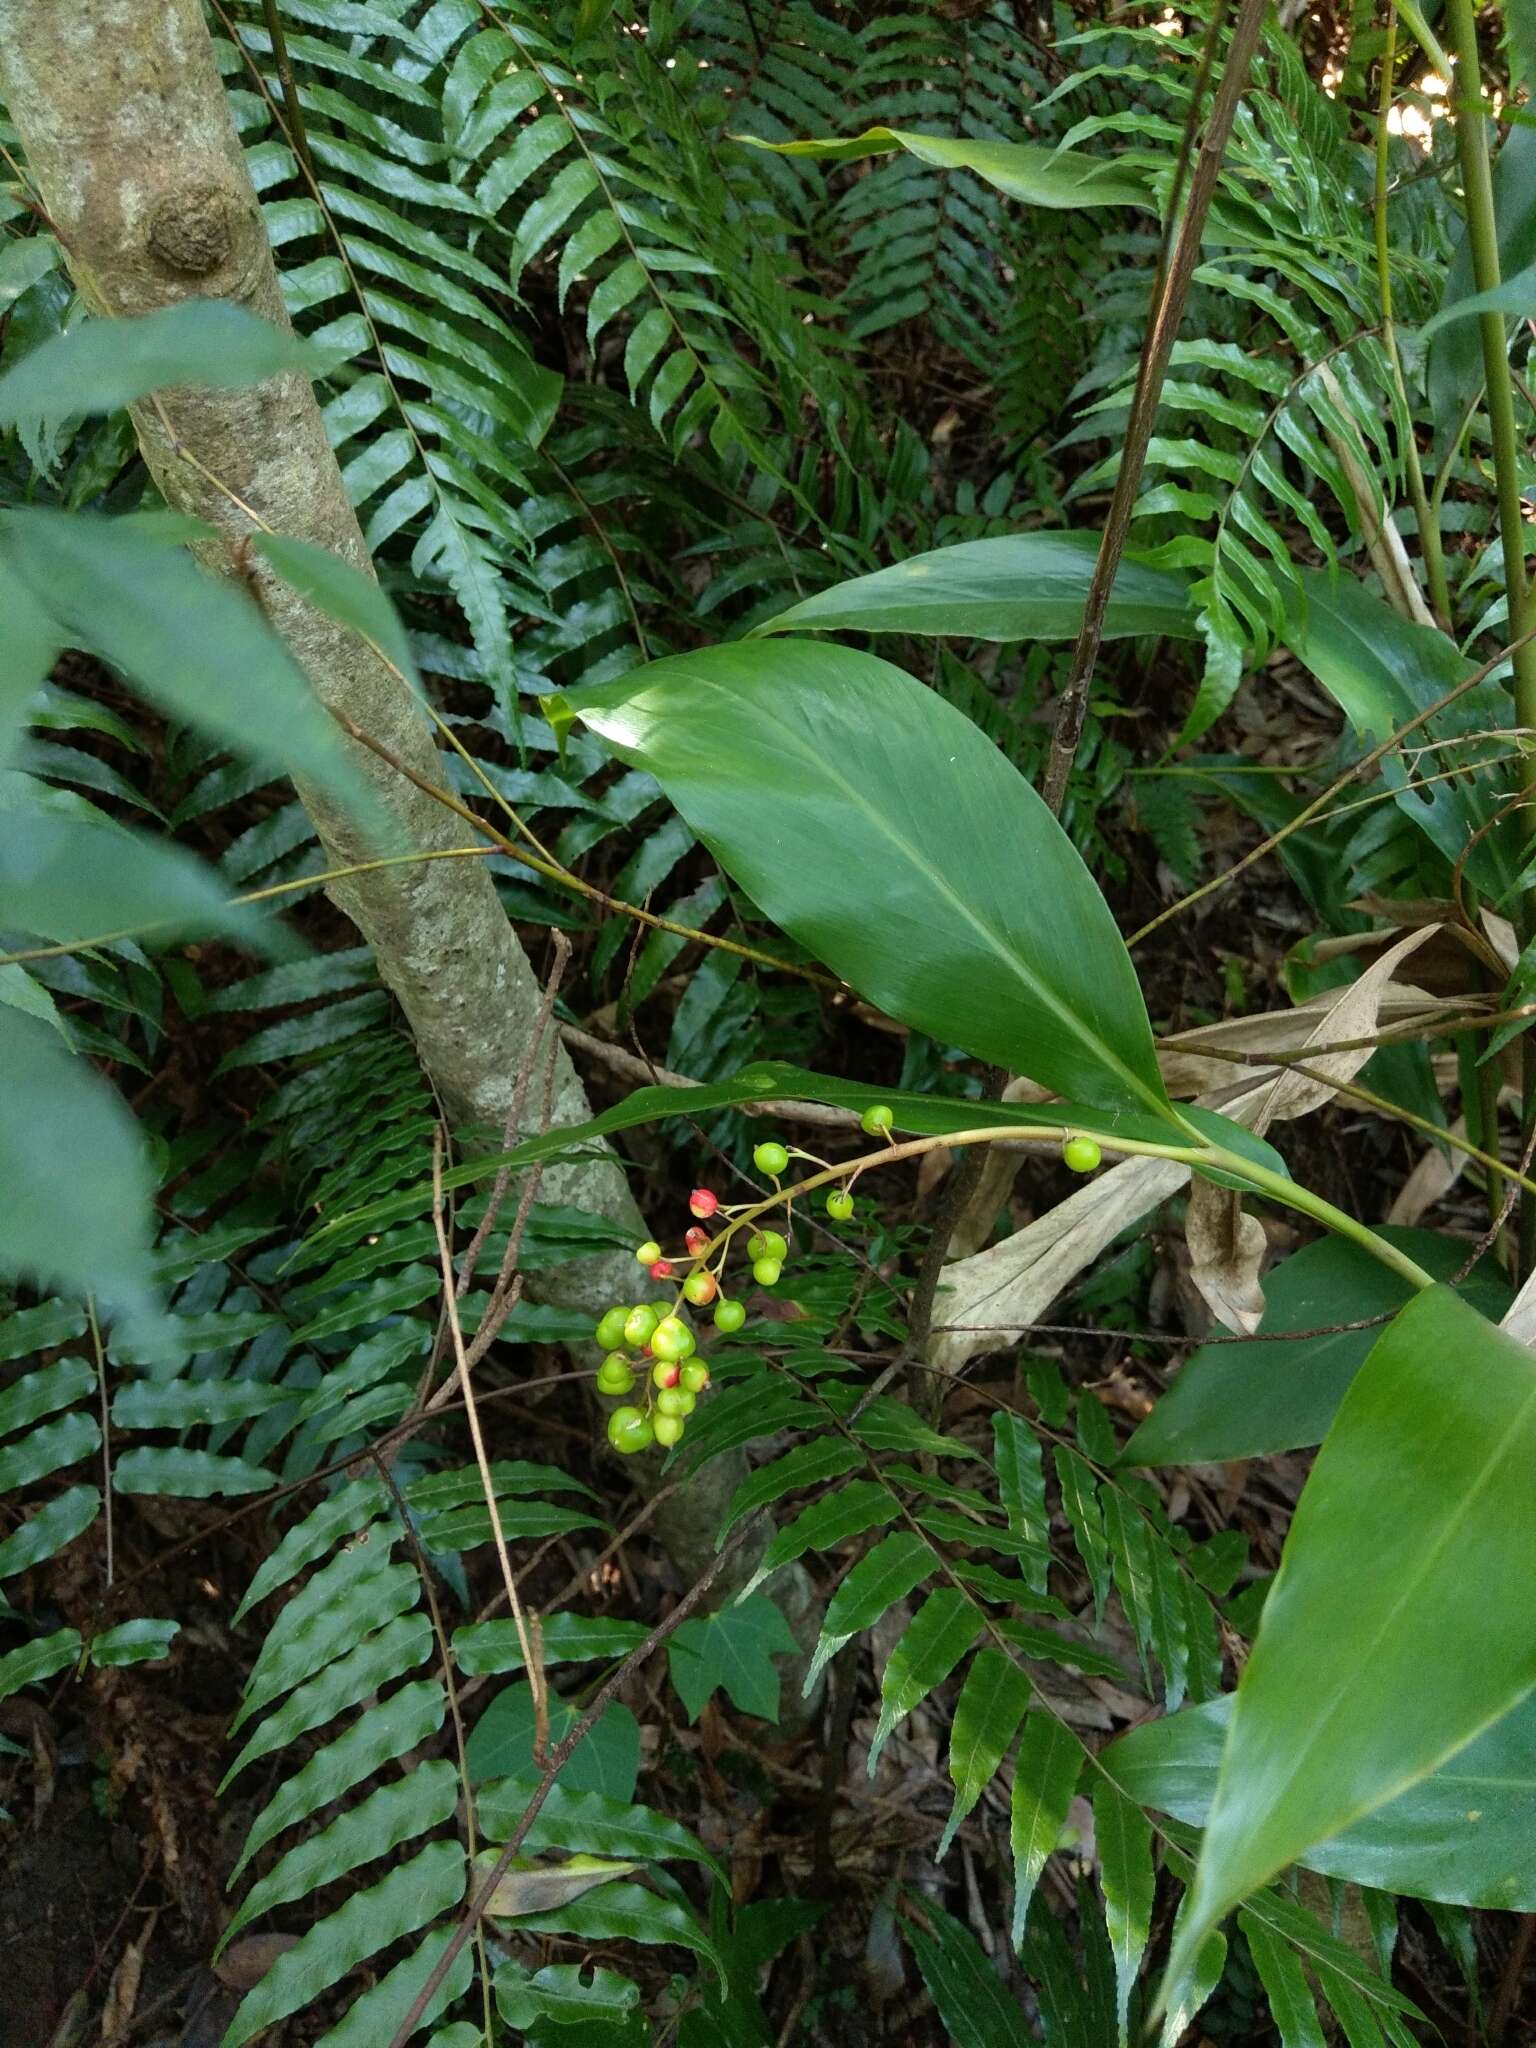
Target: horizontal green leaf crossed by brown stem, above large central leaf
<point>1019,587</point>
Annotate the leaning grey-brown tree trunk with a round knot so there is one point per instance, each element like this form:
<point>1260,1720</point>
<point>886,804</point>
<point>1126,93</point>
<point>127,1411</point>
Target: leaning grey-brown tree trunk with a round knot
<point>130,142</point>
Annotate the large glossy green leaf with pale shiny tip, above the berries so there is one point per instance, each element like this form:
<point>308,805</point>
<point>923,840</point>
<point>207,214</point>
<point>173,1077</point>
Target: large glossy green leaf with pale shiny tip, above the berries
<point>890,837</point>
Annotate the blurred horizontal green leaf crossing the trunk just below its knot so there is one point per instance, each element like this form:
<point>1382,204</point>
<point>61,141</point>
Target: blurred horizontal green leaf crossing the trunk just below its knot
<point>101,366</point>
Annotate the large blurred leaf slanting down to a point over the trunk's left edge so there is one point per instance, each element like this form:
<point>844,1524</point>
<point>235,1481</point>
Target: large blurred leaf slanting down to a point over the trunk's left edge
<point>142,603</point>
